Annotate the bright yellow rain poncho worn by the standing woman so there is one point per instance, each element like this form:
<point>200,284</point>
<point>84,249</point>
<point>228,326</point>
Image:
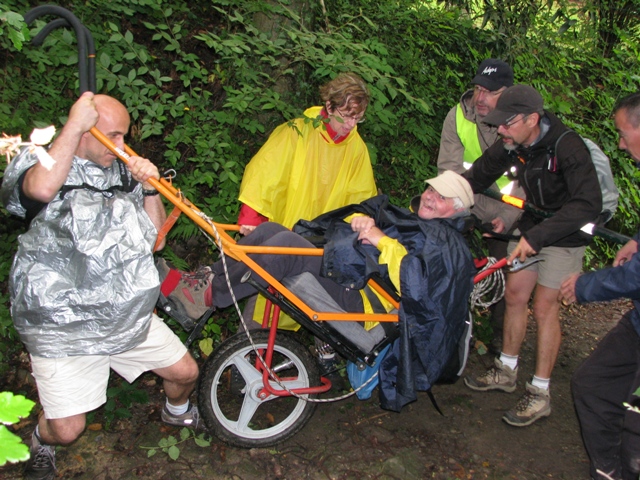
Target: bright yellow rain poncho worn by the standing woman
<point>300,173</point>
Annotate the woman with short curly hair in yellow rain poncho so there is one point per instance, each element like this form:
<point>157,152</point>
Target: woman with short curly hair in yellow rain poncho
<point>310,165</point>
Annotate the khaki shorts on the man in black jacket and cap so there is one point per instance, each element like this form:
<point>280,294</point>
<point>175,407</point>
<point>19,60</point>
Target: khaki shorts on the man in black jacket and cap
<point>557,264</point>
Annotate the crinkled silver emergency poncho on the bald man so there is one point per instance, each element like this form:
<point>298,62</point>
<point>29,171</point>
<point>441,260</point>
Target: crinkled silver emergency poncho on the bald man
<point>83,281</point>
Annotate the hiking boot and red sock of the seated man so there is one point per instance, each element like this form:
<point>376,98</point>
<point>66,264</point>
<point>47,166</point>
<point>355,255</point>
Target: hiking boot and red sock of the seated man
<point>188,294</point>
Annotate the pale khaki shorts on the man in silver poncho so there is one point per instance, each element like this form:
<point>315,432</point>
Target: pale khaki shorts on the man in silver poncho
<point>73,385</point>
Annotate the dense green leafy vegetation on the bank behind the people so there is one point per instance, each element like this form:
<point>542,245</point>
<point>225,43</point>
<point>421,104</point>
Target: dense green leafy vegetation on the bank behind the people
<point>207,81</point>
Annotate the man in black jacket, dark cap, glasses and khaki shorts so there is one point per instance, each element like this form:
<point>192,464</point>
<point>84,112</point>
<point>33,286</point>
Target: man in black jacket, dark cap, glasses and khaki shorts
<point>564,183</point>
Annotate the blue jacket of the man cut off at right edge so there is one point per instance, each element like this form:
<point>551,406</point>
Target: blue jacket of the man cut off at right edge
<point>611,283</point>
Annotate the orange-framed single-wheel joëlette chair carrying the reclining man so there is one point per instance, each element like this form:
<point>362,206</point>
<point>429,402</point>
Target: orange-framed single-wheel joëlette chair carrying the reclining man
<point>257,390</point>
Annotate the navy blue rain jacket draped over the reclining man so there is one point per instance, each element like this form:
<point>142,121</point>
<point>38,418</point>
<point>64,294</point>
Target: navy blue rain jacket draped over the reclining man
<point>436,280</point>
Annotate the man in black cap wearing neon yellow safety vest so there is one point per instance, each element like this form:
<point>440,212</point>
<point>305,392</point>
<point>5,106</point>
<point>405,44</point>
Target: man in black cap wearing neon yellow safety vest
<point>464,138</point>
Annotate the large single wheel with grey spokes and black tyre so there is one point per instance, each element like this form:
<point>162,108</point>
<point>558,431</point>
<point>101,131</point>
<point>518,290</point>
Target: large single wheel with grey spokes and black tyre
<point>230,383</point>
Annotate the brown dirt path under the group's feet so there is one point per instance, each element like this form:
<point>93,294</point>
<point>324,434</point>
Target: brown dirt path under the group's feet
<point>353,439</point>
